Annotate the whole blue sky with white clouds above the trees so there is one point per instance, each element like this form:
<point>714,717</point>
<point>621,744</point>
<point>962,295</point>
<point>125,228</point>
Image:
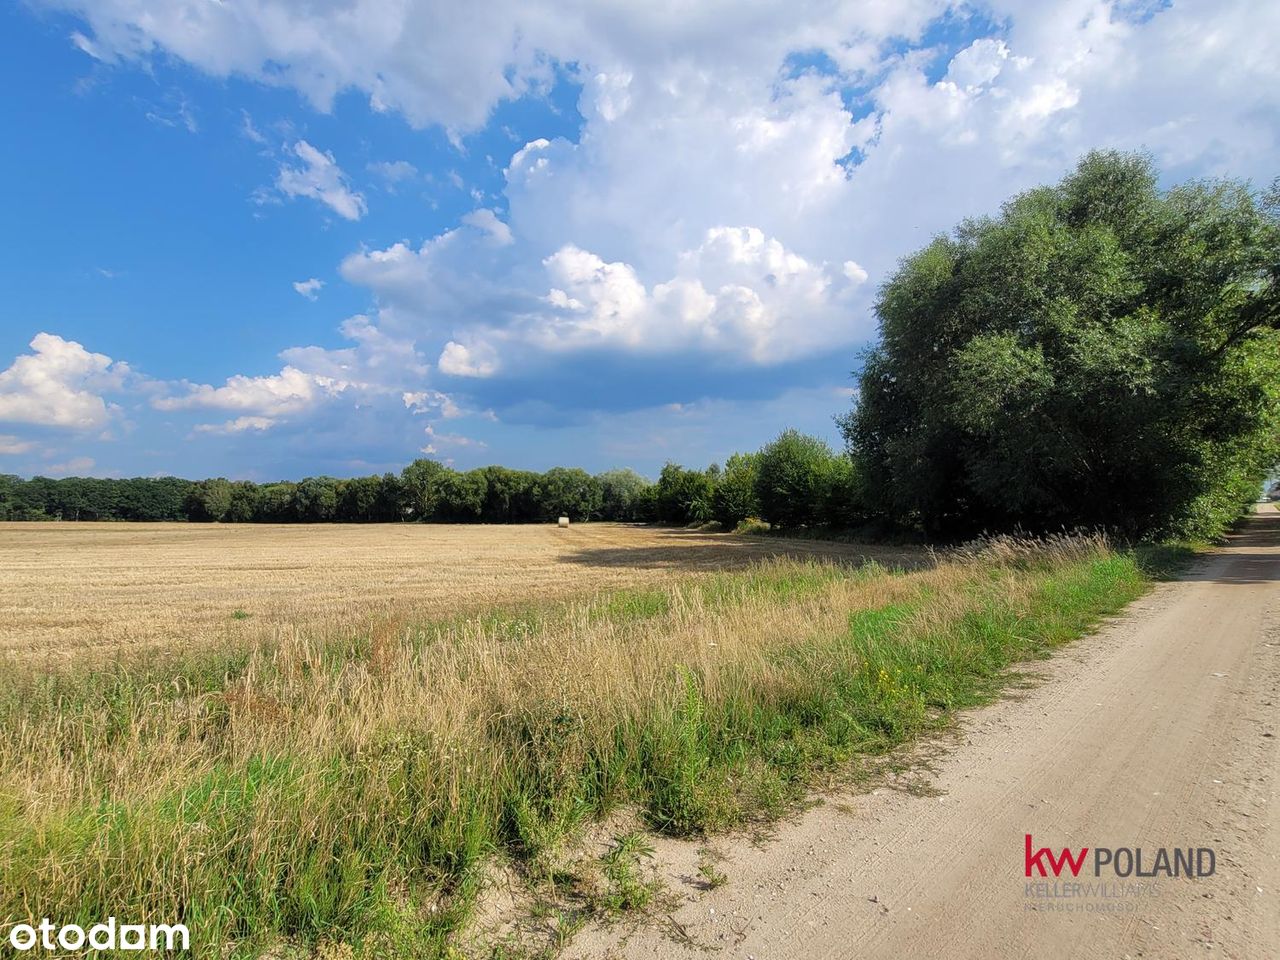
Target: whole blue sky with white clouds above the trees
<point>267,240</point>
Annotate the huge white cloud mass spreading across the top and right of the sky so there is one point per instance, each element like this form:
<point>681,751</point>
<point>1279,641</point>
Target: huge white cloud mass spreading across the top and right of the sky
<point>733,194</point>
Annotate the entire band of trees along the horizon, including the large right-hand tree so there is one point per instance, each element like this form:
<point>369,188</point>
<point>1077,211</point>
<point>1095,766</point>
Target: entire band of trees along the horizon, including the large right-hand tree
<point>1104,354</point>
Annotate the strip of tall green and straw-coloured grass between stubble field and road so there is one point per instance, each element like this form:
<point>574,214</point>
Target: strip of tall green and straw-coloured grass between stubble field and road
<point>351,789</point>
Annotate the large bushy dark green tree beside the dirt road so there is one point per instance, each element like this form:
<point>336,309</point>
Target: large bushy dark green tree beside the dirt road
<point>1101,354</point>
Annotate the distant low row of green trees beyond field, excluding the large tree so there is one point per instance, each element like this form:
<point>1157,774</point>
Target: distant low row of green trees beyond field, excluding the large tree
<point>796,481</point>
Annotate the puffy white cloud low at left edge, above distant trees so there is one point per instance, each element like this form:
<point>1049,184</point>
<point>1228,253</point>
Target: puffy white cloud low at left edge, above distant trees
<point>61,385</point>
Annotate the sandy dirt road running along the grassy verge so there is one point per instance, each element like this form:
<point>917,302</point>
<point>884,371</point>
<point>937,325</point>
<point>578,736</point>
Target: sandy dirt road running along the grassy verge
<point>1162,732</point>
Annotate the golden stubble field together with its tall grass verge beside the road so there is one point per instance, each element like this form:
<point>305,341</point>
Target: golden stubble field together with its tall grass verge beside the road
<point>406,714</point>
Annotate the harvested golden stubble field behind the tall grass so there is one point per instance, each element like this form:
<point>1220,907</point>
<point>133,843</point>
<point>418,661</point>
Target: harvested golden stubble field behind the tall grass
<point>109,589</point>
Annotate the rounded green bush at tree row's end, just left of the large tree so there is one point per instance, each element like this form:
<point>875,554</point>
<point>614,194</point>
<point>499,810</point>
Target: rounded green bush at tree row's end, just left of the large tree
<point>794,479</point>
